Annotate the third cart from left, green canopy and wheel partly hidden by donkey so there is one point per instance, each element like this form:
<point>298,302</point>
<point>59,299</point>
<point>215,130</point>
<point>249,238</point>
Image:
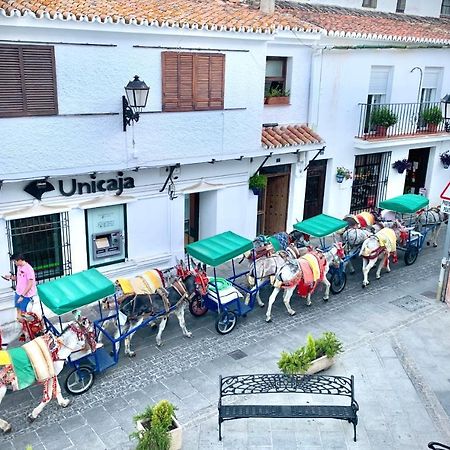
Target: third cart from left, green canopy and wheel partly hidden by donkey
<point>320,227</point>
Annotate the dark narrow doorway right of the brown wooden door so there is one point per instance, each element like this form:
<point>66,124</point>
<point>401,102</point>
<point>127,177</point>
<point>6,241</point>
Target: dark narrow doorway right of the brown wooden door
<point>315,186</point>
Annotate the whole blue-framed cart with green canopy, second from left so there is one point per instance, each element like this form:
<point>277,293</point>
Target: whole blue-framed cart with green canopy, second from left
<point>224,296</point>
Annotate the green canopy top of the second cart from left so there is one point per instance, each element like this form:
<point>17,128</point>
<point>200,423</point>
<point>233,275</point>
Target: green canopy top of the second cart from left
<point>220,248</point>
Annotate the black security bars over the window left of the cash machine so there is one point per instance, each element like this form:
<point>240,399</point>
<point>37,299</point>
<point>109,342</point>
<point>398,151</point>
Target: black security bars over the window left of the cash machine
<point>45,243</point>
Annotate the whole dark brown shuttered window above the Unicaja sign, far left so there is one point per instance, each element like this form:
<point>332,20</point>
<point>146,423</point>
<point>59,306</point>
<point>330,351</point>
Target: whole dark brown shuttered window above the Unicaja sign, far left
<point>27,81</point>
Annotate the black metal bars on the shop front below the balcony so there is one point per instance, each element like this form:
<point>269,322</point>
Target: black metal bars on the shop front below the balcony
<point>369,181</point>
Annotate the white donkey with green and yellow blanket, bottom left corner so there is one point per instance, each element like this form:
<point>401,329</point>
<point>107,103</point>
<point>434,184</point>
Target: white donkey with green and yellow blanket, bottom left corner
<point>76,336</point>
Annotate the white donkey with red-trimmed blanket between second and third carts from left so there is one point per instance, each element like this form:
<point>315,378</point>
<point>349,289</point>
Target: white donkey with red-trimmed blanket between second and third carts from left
<point>290,276</point>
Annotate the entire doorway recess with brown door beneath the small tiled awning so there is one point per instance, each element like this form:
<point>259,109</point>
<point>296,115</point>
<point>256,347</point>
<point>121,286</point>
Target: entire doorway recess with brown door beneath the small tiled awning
<point>273,200</point>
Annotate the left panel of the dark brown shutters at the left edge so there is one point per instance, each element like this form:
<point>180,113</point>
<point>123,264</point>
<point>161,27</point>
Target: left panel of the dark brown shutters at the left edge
<point>11,93</point>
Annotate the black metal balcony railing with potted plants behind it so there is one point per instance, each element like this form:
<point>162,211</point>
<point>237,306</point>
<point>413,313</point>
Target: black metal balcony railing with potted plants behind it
<point>410,120</point>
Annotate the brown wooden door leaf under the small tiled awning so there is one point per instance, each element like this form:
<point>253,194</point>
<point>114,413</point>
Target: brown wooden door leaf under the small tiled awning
<point>276,203</point>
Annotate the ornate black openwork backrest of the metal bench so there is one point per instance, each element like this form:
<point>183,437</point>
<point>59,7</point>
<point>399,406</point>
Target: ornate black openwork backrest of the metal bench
<point>280,383</point>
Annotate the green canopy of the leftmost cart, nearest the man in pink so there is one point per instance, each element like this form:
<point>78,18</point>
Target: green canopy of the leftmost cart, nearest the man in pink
<point>73,291</point>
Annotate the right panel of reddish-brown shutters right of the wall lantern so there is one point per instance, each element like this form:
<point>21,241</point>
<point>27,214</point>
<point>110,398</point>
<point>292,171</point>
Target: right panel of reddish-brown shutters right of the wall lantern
<point>209,81</point>
